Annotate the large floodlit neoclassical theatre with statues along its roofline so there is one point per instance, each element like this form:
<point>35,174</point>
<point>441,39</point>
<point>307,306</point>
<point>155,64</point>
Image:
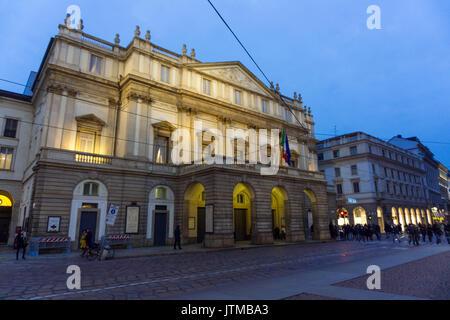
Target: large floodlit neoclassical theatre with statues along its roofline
<point>107,124</point>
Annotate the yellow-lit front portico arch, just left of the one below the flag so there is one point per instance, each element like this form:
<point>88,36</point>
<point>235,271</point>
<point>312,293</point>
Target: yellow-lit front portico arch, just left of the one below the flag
<point>242,212</point>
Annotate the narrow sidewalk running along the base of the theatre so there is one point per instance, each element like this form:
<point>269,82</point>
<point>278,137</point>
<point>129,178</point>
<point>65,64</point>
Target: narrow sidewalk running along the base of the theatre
<point>8,253</point>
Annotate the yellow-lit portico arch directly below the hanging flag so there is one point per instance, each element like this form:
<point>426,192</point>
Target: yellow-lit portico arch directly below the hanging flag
<point>279,201</point>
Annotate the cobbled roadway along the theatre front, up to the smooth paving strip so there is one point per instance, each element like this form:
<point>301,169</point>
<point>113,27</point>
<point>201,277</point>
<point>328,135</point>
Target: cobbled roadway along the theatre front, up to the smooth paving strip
<point>165,276</point>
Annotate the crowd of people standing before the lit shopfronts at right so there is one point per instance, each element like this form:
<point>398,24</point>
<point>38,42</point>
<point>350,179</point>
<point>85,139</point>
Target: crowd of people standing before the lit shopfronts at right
<point>366,232</point>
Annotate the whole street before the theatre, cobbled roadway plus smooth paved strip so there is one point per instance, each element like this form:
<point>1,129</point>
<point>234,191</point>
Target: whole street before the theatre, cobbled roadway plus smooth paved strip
<point>278,272</point>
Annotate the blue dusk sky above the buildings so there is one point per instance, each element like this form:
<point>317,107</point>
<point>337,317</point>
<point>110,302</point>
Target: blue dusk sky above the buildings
<point>383,82</point>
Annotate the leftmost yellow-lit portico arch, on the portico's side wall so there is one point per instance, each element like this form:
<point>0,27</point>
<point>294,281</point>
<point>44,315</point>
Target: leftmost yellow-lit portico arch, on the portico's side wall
<point>194,198</point>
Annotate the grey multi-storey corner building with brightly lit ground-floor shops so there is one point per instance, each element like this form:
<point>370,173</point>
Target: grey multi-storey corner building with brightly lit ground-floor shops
<point>376,181</point>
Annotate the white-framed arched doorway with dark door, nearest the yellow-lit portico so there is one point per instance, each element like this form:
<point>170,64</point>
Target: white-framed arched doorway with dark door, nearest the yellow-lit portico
<point>160,221</point>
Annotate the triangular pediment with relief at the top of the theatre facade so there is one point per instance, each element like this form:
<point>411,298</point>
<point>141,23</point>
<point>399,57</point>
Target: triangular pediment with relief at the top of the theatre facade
<point>235,73</point>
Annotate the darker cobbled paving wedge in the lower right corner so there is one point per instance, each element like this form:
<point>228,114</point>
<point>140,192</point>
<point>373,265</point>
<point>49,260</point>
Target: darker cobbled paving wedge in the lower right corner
<point>425,278</point>
